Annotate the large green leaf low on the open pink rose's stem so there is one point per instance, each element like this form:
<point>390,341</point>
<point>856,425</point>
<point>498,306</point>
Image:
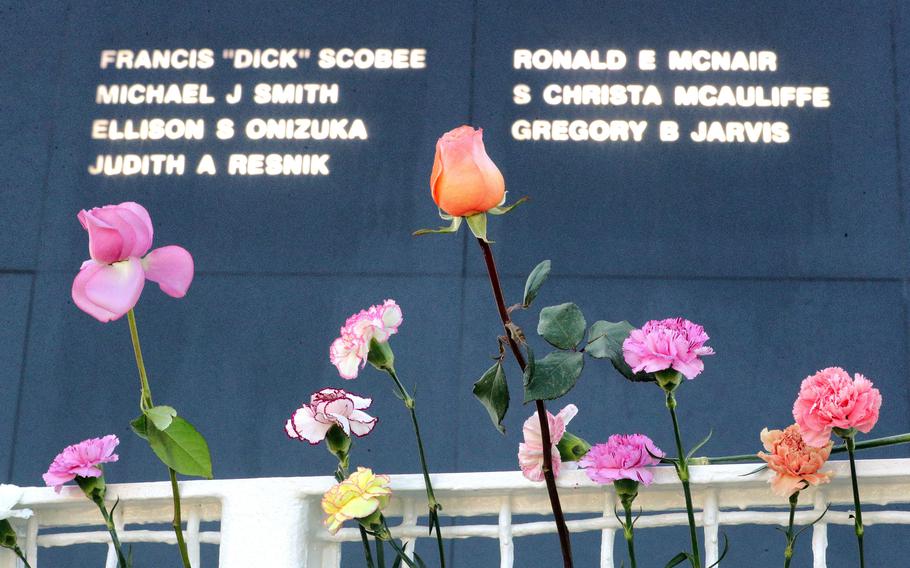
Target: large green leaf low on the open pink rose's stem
<point>181,447</point>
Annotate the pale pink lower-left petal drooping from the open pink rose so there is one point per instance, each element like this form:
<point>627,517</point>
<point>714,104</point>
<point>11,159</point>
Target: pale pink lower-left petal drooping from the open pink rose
<point>107,291</point>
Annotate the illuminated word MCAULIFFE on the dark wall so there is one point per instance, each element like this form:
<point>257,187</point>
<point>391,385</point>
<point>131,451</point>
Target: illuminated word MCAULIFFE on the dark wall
<point>725,95</point>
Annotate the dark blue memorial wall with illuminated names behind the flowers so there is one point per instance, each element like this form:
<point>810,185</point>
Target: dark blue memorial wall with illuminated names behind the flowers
<point>782,229</point>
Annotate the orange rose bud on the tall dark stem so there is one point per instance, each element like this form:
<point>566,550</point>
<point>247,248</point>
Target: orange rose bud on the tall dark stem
<point>465,181</point>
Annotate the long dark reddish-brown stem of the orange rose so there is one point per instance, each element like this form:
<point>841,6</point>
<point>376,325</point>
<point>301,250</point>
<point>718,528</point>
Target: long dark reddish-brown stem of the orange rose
<point>561,528</point>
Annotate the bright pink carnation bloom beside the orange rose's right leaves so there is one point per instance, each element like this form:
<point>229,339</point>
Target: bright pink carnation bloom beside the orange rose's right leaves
<point>673,343</point>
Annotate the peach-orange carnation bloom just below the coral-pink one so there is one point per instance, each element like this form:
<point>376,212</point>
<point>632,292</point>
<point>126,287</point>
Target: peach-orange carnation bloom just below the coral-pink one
<point>794,463</point>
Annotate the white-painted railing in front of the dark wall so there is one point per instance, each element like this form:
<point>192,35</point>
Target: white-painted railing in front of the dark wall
<point>282,516</point>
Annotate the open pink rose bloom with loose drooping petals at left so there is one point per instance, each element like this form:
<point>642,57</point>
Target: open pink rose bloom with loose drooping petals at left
<point>110,283</point>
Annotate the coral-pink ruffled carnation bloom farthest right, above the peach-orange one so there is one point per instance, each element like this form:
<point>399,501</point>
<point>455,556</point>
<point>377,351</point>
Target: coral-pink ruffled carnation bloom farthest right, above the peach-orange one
<point>831,399</point>
